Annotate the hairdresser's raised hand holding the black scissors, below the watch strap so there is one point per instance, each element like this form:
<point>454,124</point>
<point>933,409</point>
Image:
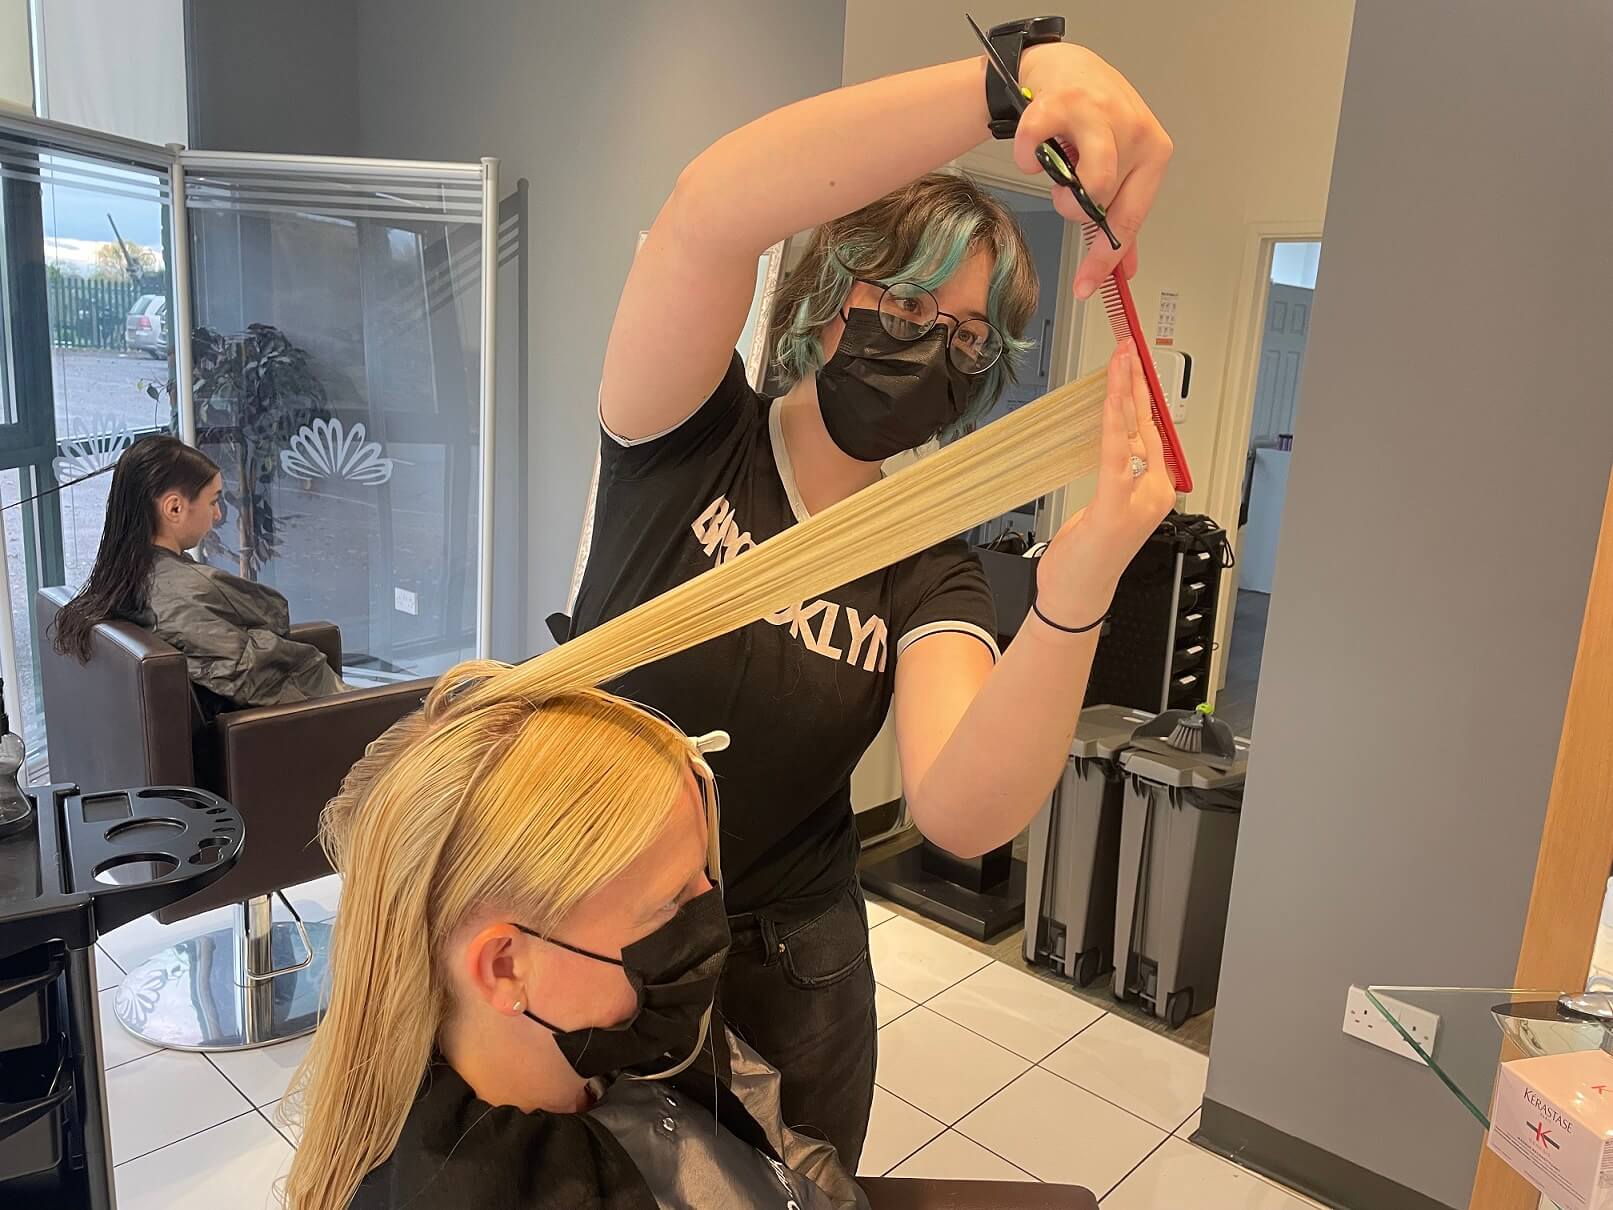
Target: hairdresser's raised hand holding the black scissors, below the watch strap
<point>1112,136</point>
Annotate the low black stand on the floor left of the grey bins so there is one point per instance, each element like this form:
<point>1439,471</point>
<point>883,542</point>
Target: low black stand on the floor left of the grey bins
<point>982,899</point>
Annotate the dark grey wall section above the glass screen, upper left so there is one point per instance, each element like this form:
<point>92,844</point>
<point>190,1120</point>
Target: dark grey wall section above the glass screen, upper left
<point>275,78</point>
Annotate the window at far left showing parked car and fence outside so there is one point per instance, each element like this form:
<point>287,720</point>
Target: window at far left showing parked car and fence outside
<point>86,298</point>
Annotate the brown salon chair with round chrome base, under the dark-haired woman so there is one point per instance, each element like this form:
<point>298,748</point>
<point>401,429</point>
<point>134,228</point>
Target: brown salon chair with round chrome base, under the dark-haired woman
<point>131,717</point>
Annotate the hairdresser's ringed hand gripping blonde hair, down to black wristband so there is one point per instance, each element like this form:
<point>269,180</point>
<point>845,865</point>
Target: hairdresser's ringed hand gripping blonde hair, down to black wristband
<point>1090,554</point>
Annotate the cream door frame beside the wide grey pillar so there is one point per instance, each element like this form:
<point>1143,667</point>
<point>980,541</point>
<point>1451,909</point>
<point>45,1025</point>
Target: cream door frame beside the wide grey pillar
<point>1238,404</point>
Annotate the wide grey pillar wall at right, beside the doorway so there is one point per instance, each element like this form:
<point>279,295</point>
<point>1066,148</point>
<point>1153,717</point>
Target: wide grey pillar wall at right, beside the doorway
<point>1423,633</point>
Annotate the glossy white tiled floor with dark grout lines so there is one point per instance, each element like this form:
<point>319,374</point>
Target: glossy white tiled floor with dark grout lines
<point>1036,1085</point>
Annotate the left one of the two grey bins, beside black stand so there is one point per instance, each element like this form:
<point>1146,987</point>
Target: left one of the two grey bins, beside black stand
<point>1075,853</point>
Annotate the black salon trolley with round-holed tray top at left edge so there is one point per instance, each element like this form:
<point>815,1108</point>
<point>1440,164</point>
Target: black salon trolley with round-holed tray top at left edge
<point>81,867</point>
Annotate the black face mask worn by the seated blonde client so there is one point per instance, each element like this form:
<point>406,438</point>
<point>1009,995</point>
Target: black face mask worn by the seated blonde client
<point>675,974</point>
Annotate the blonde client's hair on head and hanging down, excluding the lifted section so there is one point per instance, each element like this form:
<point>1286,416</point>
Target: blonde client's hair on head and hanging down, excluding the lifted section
<point>456,814</point>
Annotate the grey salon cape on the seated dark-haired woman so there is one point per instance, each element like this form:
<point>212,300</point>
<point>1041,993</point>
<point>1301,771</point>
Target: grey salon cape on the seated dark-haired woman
<point>235,635</point>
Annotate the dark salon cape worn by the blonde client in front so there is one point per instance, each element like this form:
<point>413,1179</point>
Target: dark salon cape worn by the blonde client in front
<point>457,1151</point>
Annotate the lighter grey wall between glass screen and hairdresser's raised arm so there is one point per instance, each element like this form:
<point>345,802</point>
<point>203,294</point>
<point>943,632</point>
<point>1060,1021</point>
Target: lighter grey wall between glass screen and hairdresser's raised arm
<point>598,107</point>
